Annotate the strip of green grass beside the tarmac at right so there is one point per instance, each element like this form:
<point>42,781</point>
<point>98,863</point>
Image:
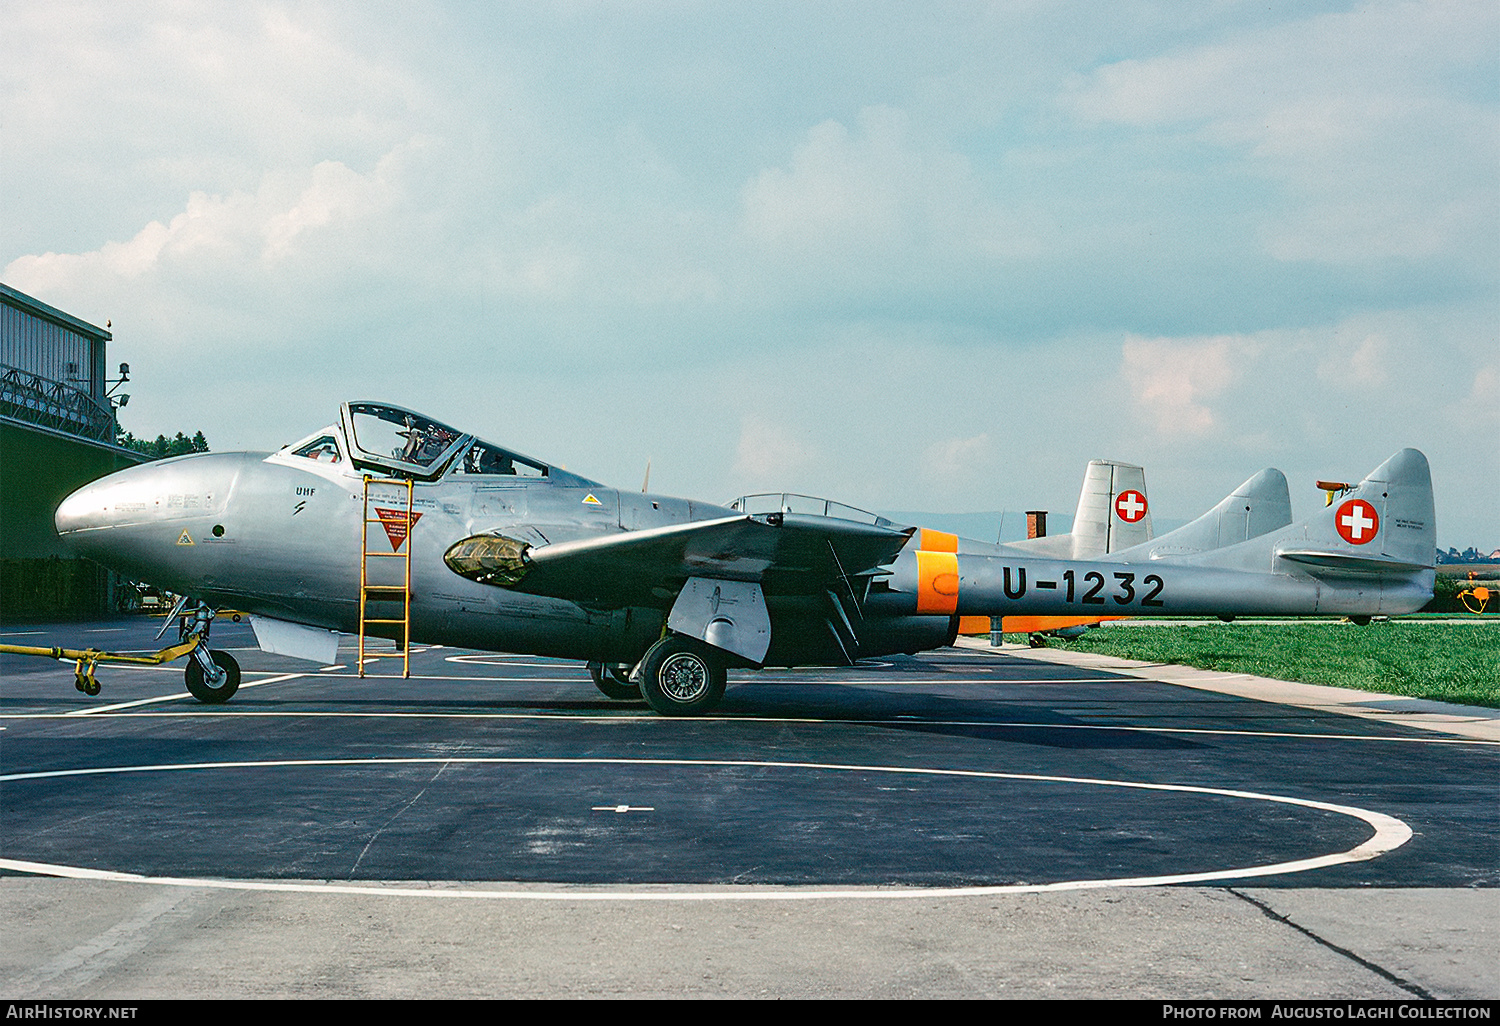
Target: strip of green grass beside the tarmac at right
<point>1444,662</point>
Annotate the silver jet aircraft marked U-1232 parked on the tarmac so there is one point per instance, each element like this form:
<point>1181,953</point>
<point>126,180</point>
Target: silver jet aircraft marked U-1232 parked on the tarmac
<point>394,524</point>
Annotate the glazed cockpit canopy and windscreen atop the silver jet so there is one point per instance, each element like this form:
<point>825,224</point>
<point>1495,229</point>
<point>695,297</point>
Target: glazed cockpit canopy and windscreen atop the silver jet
<point>391,440</point>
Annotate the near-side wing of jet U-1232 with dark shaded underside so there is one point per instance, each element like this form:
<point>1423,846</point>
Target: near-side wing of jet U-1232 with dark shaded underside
<point>784,553</point>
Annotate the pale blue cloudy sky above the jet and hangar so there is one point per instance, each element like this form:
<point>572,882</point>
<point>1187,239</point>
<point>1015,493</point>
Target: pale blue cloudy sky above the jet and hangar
<point>908,257</point>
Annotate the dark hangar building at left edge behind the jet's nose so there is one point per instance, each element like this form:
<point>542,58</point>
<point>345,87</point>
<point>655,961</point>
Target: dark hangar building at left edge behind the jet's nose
<point>58,431</point>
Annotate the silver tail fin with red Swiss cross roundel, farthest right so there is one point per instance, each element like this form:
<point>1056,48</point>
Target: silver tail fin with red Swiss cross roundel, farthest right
<point>1385,526</point>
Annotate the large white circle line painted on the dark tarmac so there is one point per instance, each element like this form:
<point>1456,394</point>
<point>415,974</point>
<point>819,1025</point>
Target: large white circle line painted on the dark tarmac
<point>1390,835</point>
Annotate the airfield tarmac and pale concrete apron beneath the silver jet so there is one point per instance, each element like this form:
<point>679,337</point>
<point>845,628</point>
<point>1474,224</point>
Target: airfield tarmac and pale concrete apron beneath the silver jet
<point>965,823</point>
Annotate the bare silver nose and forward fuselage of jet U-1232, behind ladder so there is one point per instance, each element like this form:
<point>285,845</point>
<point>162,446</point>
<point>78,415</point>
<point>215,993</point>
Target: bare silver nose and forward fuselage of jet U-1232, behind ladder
<point>280,536</point>
